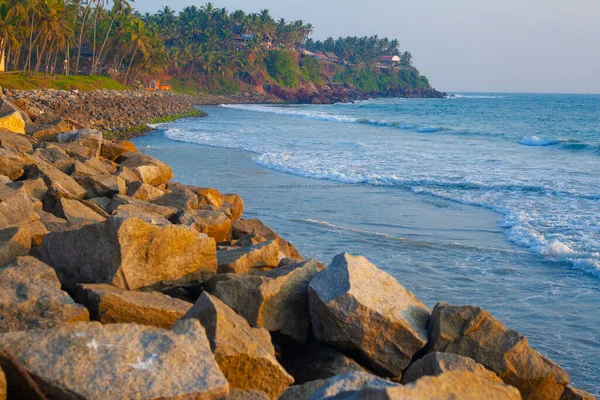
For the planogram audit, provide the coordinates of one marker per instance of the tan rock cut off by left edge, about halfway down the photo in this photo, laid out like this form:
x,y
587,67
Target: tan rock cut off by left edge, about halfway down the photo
x,y
15,208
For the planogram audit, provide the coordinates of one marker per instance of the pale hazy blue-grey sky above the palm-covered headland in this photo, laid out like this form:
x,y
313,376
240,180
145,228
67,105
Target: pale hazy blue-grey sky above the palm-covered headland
x,y
462,45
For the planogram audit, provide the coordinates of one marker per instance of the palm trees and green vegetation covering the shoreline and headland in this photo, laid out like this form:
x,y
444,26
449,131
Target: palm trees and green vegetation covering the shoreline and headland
x,y
52,43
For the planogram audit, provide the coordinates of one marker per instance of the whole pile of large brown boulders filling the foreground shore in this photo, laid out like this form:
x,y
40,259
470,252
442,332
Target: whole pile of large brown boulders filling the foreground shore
x,y
117,282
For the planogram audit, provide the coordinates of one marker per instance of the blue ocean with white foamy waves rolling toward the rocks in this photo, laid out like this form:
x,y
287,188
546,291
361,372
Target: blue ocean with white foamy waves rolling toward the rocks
x,y
485,199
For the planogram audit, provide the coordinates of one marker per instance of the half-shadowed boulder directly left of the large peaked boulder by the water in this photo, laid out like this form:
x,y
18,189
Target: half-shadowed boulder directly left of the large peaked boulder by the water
x,y
276,300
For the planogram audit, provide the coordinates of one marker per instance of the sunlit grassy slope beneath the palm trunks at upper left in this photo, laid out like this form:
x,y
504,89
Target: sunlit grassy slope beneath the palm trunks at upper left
x,y
17,81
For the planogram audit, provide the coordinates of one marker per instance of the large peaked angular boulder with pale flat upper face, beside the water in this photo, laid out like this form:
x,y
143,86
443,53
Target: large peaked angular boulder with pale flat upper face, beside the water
x,y
355,306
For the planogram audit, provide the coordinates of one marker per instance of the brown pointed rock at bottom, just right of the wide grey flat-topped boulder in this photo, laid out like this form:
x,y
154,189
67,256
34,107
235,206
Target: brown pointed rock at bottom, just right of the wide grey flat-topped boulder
x,y
244,361
